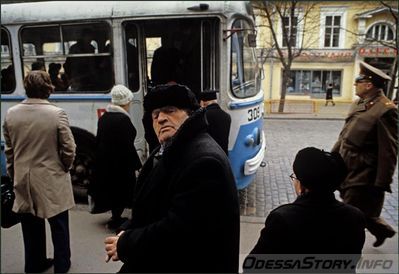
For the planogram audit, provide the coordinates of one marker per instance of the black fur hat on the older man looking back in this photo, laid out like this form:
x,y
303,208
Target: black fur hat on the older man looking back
x,y
179,96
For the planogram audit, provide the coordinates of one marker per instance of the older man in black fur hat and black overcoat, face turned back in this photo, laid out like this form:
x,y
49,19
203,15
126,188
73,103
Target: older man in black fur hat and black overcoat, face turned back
x,y
185,215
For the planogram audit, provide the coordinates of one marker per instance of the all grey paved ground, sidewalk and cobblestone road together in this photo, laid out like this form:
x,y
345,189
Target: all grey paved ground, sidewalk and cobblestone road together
x,y
273,187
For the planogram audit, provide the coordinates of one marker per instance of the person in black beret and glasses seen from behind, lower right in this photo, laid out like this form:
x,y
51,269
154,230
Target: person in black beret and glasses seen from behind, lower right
x,y
315,223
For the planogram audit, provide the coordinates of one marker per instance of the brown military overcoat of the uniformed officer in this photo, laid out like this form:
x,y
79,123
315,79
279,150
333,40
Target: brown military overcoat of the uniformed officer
x,y
368,143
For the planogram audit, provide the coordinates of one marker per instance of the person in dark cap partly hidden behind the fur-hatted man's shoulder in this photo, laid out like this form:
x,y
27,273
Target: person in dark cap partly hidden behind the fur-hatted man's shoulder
x,y
219,121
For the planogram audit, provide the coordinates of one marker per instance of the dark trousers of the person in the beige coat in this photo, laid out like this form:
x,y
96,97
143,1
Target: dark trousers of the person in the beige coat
x,y
34,235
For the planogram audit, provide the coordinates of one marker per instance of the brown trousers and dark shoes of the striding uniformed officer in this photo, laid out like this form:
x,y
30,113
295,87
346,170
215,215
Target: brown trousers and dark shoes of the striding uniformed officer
x,y
369,200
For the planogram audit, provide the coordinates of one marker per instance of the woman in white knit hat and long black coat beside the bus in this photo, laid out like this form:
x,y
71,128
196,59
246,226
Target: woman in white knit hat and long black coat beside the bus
x,y
116,158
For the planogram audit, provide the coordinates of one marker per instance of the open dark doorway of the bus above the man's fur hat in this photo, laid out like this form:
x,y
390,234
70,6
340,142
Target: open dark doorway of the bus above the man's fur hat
x,y
171,50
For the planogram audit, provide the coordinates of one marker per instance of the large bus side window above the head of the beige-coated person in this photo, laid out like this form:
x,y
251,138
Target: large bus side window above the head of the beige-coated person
x,y
78,57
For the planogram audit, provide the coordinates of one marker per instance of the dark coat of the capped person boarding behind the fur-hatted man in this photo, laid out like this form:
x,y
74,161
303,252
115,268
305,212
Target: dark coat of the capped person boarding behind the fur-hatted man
x,y
219,123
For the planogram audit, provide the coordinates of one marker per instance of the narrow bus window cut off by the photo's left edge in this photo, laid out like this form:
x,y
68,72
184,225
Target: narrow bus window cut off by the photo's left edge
x,y
7,67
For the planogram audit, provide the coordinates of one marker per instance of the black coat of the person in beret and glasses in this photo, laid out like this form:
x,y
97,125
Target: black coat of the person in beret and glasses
x,y
313,225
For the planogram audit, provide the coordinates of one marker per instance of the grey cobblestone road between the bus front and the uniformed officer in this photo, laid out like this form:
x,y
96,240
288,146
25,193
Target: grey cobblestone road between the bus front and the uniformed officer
x,y
284,137
